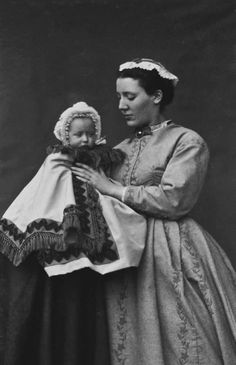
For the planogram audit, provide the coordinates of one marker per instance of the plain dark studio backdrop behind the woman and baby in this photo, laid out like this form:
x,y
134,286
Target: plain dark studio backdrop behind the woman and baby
x,y
54,53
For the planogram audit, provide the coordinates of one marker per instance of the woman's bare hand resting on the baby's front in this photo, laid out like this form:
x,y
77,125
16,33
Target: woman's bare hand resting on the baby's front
x,y
95,178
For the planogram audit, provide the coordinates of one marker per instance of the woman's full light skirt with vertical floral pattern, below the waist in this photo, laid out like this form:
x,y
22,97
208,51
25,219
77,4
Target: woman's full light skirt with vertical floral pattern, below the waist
x,y
179,305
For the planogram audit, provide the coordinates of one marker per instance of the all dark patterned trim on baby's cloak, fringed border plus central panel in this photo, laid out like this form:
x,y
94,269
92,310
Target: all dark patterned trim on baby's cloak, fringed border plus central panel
x,y
83,228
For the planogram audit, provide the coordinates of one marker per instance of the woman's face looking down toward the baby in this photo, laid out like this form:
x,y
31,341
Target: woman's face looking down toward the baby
x,y
135,104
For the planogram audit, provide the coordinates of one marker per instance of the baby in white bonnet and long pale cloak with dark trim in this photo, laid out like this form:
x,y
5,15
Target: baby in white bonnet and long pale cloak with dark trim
x,y
66,222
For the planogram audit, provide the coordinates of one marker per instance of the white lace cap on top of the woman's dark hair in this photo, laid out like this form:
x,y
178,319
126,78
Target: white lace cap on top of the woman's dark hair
x,y
149,65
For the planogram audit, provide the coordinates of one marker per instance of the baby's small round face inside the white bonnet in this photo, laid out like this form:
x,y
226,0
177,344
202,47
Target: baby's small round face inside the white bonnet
x,y
82,133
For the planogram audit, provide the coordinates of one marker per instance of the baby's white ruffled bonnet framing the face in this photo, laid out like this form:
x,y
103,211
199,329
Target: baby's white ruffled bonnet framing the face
x,y
78,110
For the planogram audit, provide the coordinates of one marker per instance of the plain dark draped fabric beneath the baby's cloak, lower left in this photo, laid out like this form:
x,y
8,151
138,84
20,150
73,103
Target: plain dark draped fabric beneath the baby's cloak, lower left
x,y
51,321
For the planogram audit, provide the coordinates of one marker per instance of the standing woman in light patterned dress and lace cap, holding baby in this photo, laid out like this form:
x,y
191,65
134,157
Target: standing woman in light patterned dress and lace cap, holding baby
x,y
179,305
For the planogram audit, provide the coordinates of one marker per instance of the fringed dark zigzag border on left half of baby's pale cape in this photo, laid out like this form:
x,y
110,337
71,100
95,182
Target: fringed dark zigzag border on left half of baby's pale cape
x,y
41,234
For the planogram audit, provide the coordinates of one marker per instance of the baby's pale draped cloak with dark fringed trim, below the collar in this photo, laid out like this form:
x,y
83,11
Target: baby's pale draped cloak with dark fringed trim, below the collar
x,y
35,222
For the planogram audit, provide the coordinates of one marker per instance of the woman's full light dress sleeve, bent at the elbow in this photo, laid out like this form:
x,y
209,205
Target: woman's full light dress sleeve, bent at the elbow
x,y
179,187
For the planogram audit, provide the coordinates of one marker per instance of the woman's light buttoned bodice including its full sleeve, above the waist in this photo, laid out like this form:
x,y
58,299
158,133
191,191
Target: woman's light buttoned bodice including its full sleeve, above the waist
x,y
164,171
